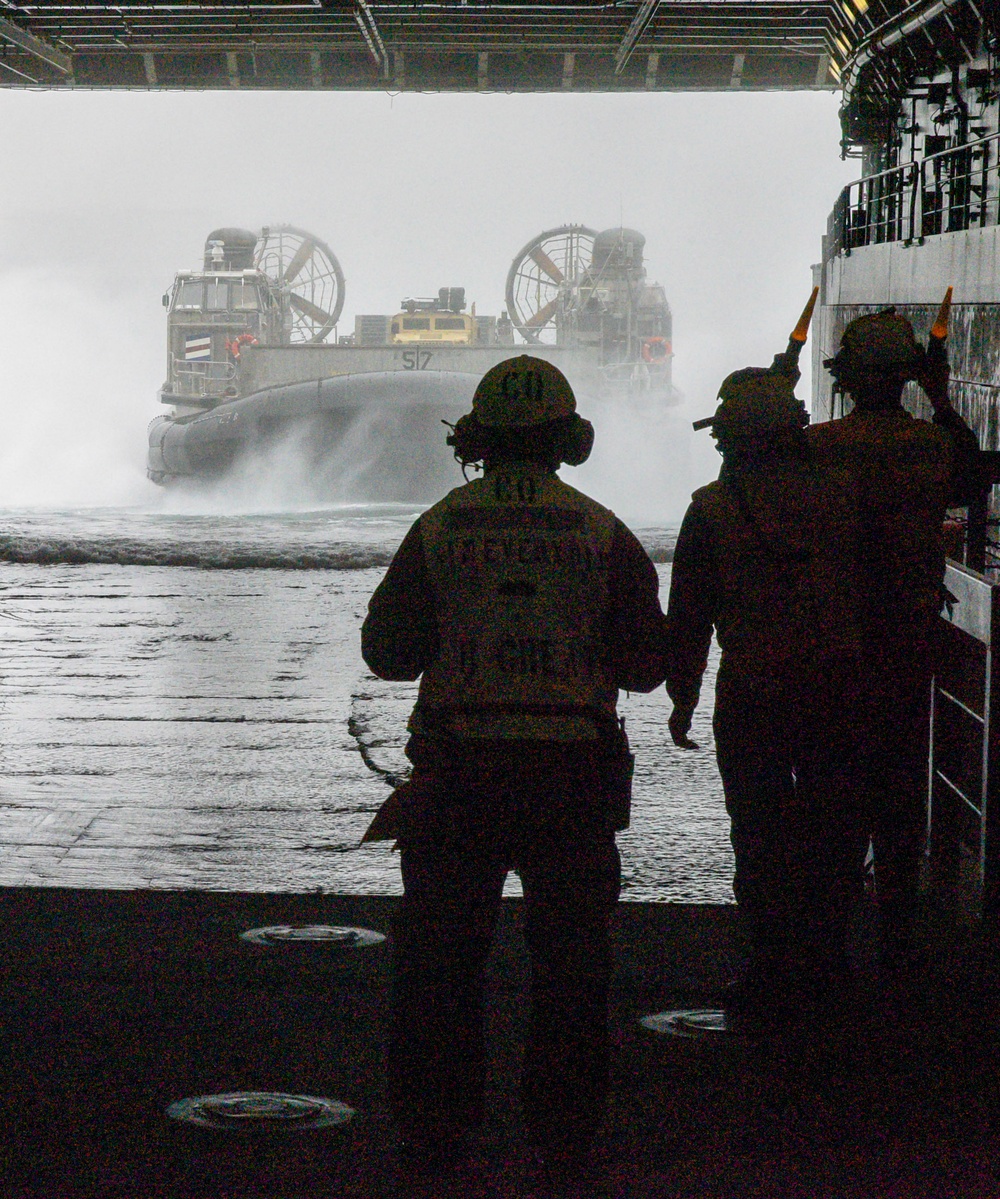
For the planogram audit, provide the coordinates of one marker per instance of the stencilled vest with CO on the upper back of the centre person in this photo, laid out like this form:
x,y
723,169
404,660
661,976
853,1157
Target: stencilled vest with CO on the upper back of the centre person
x,y
519,565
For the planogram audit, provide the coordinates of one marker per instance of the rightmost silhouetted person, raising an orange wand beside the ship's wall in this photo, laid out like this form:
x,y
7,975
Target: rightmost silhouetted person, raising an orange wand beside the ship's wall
x,y
906,473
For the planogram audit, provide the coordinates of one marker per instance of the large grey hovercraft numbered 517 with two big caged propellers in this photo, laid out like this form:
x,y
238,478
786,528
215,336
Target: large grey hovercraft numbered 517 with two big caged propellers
x,y
257,377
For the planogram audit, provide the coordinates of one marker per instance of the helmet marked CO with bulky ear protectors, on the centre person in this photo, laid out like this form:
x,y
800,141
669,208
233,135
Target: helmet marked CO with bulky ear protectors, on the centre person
x,y
523,402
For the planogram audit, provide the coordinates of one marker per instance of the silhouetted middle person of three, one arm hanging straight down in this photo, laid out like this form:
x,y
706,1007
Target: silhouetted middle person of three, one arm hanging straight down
x,y
766,558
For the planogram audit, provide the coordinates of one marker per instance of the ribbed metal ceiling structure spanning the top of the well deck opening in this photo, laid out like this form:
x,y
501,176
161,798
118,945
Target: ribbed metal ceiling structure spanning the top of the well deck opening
x,y
449,46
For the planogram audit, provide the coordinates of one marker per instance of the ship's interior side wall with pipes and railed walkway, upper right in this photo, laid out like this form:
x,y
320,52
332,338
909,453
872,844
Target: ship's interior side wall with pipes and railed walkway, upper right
x,y
925,215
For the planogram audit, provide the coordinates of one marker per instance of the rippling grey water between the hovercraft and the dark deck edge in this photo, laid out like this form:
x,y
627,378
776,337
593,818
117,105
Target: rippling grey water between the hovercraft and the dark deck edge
x,y
185,706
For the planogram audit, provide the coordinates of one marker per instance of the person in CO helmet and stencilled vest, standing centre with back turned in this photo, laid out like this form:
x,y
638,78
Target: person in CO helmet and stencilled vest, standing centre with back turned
x,y
523,607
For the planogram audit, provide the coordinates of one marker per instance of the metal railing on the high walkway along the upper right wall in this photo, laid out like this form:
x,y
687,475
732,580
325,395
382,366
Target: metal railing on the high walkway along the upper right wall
x,y
947,192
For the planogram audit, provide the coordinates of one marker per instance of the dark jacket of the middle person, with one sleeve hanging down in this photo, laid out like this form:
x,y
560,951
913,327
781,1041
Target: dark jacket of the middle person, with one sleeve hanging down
x,y
761,557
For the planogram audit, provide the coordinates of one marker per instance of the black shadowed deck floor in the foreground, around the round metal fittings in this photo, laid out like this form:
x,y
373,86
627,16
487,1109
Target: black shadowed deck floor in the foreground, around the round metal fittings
x,y
118,1003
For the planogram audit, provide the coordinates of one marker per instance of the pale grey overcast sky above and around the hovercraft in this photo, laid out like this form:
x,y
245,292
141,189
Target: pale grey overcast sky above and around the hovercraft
x,y
105,196
